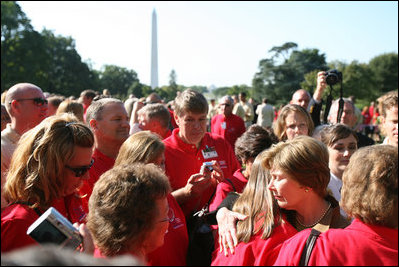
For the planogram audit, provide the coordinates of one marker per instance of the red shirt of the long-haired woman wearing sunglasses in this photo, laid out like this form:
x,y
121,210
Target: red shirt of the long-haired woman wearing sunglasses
x,y
16,219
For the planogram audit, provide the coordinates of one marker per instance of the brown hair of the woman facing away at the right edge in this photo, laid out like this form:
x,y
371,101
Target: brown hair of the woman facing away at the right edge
x,y
370,185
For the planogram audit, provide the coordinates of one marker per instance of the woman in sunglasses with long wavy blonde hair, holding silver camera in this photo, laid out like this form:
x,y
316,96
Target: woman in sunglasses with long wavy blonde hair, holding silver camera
x,y
47,168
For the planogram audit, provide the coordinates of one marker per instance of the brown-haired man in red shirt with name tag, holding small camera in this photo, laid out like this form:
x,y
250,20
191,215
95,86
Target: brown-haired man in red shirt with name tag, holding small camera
x,y
188,147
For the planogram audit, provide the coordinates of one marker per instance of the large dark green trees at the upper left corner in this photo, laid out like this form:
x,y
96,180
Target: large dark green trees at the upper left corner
x,y
49,61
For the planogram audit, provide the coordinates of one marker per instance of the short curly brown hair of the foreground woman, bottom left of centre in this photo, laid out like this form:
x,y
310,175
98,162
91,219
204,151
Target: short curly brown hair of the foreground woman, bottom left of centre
x,y
122,207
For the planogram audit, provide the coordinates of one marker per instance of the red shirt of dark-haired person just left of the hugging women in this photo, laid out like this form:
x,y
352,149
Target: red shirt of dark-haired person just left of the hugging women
x,y
225,187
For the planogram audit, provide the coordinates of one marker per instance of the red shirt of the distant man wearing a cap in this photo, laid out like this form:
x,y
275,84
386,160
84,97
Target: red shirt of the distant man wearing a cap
x,y
230,127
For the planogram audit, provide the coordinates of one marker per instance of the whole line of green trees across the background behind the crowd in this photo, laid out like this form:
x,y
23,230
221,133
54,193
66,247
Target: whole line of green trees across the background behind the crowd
x,y
53,63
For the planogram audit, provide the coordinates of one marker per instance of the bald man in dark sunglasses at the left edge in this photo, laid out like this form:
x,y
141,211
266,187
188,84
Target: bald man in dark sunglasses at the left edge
x,y
27,107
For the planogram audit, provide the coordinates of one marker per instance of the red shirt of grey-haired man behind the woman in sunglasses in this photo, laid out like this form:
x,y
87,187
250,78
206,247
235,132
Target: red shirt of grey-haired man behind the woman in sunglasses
x,y
102,163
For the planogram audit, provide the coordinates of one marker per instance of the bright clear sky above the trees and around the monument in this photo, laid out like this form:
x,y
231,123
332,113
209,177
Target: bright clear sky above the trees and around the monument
x,y
216,43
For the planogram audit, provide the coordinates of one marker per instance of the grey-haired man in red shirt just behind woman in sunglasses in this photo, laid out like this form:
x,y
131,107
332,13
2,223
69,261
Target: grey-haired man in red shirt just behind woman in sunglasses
x,y
109,122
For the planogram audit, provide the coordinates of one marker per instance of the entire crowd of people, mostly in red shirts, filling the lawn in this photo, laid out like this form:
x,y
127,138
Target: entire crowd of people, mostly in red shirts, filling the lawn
x,y
135,176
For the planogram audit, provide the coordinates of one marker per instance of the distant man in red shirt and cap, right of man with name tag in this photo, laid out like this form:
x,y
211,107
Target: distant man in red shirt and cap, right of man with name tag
x,y
227,124
